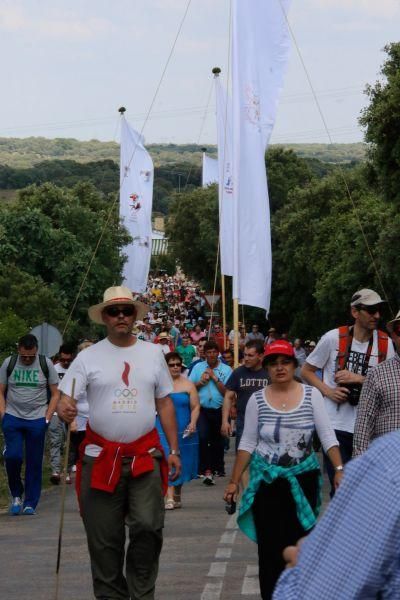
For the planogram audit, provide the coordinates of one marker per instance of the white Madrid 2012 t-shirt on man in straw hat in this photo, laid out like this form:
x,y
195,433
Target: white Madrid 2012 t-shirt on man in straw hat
x,y
121,384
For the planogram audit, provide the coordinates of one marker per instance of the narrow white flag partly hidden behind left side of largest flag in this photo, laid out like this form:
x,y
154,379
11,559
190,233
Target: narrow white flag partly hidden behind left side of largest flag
x,y
225,190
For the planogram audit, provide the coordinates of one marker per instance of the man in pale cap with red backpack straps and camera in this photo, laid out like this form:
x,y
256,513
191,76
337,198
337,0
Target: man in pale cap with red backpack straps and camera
x,y
345,355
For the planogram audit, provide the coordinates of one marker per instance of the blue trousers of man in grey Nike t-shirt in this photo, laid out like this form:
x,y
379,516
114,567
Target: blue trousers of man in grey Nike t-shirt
x,y
32,433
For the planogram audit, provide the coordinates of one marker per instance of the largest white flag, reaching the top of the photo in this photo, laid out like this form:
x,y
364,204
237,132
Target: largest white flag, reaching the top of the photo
x,y
260,46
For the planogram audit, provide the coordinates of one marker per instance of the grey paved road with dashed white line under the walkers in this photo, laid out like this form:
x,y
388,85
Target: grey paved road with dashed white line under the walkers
x,y
204,557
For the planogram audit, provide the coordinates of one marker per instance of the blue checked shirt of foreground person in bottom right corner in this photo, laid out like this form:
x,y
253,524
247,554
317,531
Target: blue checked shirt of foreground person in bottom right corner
x,y
353,552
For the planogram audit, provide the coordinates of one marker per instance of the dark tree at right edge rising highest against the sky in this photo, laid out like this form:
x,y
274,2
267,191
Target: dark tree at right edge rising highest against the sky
x,y
381,119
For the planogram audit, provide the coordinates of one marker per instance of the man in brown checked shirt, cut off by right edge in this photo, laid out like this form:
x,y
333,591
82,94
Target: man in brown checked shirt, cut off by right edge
x,y
379,406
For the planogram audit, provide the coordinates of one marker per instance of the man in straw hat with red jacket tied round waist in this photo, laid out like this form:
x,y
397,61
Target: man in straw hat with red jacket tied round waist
x,y
122,474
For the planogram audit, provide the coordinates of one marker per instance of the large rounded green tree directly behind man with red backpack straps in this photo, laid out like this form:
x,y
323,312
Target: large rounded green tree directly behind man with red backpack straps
x,y
320,255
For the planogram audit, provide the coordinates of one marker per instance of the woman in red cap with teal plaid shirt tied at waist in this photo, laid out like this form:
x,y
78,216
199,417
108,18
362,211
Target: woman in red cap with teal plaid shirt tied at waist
x,y
282,501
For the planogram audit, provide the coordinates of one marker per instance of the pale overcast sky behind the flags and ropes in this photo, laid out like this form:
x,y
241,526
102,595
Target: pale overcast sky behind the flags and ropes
x,y
67,65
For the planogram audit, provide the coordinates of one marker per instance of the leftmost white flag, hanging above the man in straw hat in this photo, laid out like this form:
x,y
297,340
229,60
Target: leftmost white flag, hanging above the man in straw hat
x,y
136,200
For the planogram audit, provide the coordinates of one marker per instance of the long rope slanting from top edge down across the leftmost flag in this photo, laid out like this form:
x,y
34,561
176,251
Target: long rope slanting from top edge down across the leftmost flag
x,y
113,204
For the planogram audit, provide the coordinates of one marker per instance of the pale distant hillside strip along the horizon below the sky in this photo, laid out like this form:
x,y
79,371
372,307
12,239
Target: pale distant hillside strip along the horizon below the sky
x,y
27,152
